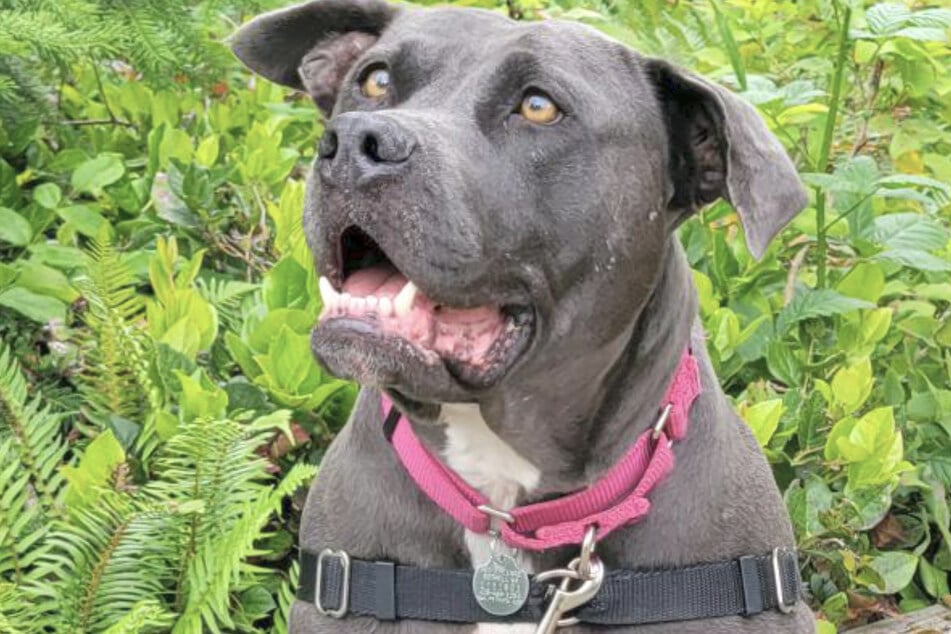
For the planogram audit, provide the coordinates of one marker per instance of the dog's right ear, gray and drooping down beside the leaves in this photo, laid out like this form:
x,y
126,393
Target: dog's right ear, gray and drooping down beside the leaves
x,y
721,147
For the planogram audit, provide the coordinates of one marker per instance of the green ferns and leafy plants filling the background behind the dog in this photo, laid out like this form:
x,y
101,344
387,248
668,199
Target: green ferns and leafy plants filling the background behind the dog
x,y
159,408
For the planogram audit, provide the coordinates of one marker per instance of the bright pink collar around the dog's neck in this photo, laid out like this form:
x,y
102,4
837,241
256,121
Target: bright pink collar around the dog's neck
x,y
618,499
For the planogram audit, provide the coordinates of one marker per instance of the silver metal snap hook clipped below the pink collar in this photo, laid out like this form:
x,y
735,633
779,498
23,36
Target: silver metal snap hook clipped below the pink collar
x,y
588,570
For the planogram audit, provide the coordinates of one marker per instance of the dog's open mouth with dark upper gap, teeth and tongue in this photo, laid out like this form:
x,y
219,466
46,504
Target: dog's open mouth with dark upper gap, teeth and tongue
x,y
477,344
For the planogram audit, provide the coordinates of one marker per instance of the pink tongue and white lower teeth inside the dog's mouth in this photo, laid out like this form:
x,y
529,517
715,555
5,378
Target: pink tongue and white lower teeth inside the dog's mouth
x,y
384,296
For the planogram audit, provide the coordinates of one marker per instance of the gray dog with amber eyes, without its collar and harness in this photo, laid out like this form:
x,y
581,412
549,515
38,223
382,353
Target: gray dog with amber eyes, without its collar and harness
x,y
493,209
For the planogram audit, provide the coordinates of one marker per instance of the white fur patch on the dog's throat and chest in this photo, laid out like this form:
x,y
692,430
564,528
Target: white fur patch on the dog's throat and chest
x,y
490,465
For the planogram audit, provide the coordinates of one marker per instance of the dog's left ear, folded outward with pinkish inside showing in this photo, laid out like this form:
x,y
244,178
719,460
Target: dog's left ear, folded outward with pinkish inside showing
x,y
311,46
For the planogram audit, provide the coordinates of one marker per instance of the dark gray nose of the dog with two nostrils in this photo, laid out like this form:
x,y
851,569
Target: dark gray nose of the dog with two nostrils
x,y
361,145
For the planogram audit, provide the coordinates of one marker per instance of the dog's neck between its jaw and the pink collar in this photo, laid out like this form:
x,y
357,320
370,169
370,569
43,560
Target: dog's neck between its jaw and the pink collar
x,y
543,441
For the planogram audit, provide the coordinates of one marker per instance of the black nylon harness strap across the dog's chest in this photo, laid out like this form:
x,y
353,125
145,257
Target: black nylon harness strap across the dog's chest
x,y
387,591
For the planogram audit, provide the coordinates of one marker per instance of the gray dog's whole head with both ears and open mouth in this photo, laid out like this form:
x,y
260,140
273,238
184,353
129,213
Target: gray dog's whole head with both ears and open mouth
x,y
493,197
